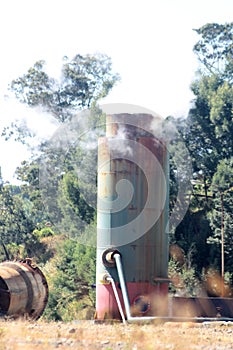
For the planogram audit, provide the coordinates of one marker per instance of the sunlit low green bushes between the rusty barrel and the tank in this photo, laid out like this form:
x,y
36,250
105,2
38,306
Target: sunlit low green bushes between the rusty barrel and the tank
x,y
70,278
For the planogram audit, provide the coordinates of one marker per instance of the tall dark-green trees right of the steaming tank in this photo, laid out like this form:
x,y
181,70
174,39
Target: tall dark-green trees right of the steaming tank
x,y
208,137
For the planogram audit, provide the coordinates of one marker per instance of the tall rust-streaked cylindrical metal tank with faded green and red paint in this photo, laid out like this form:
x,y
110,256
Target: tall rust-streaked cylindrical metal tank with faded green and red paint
x,y
142,161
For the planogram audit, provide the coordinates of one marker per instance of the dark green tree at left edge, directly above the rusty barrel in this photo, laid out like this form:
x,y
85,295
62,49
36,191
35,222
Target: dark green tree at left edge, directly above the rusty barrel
x,y
18,237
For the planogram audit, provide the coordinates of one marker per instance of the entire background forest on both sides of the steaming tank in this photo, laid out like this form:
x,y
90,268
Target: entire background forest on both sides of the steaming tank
x,y
51,215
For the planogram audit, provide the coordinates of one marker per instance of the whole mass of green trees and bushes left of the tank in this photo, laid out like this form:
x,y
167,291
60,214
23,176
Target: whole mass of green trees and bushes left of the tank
x,y
57,195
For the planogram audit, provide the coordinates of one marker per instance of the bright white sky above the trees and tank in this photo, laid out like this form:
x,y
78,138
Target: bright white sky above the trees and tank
x,y
150,43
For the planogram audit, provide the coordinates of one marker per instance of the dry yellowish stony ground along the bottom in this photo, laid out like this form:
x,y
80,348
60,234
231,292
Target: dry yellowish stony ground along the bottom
x,y
17,335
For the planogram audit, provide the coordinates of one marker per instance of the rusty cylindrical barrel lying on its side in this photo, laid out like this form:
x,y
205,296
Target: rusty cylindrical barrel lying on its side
x,y
23,289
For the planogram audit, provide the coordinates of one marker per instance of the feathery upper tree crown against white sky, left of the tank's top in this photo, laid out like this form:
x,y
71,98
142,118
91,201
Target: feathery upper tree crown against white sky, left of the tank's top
x,y
84,80
